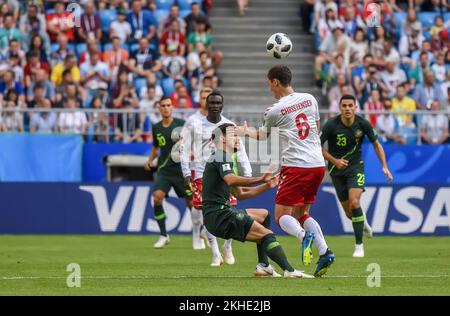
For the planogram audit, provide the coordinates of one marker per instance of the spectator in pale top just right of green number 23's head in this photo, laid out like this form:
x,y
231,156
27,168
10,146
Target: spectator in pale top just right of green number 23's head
x,y
388,127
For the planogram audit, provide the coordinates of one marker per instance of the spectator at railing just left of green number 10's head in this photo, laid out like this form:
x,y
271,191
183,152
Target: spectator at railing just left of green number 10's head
x,y
128,129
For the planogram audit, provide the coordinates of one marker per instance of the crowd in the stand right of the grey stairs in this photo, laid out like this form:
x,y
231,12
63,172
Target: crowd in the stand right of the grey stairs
x,y
396,61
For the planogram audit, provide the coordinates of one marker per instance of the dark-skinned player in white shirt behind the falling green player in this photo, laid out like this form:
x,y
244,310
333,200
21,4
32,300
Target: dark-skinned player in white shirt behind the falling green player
x,y
202,149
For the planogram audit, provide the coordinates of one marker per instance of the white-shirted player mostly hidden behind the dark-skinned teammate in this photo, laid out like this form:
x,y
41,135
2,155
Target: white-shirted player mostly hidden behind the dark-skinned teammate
x,y
188,167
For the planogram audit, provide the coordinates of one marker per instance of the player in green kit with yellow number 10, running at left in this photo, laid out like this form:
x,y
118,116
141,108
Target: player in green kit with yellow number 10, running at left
x,y
169,175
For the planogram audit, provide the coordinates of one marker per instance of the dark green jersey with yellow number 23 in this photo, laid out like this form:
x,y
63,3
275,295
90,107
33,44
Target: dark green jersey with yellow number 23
x,y
344,142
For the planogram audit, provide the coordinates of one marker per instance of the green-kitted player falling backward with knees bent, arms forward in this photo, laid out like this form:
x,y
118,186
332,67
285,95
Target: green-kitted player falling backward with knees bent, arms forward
x,y
226,221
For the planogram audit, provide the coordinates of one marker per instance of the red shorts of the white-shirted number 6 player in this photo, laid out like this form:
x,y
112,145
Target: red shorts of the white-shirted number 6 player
x,y
299,186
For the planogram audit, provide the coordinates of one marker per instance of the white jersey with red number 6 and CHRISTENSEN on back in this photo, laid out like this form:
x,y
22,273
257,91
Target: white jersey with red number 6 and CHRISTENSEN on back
x,y
295,116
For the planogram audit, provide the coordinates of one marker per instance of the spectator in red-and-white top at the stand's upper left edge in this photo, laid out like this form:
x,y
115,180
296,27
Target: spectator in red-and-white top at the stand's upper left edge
x,y
60,22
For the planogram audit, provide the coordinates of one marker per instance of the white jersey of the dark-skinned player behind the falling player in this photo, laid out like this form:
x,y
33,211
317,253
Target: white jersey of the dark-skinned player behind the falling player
x,y
203,147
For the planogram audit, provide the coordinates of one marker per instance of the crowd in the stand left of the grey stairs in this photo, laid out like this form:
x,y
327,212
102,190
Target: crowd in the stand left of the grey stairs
x,y
106,54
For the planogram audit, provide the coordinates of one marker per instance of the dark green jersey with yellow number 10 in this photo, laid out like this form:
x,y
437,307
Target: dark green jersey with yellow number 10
x,y
163,139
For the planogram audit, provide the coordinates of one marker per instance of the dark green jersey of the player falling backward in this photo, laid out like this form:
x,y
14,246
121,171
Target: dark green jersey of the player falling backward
x,y
216,192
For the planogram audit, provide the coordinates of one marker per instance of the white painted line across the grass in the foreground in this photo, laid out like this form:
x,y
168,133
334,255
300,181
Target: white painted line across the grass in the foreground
x,y
176,277
